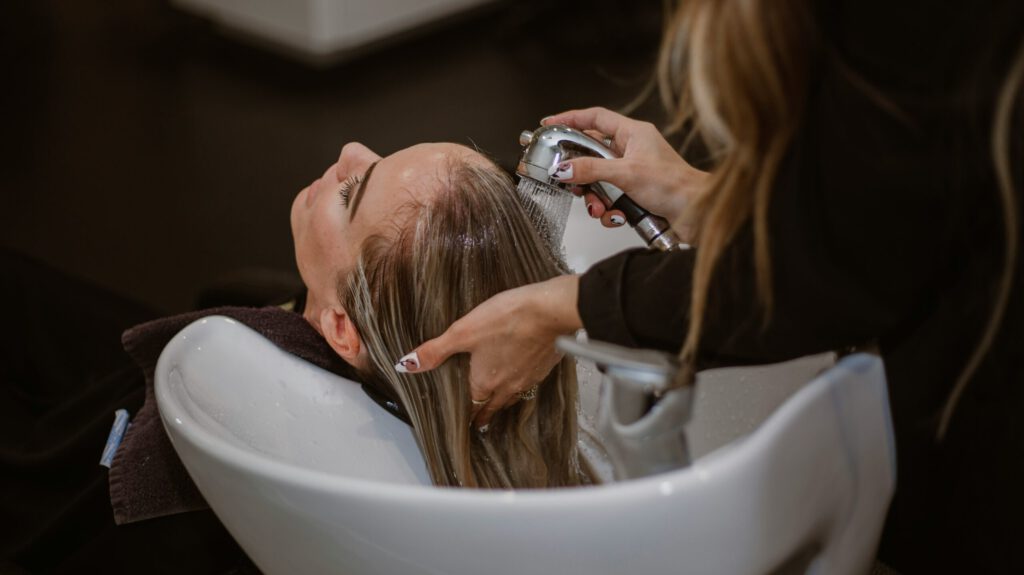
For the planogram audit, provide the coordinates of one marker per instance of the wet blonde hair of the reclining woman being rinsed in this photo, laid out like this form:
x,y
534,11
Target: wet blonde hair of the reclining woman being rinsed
x,y
471,242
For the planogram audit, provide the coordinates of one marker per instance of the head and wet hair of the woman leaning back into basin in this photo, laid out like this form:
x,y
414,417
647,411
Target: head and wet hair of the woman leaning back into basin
x,y
393,251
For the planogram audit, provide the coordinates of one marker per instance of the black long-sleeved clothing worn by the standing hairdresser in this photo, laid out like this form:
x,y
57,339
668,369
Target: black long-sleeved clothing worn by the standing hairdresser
x,y
885,227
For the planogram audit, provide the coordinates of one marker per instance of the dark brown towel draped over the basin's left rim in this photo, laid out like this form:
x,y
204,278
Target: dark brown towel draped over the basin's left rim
x,y
147,478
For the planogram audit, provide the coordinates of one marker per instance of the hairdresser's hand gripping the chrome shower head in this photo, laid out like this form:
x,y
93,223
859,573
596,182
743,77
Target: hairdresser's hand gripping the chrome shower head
x,y
650,171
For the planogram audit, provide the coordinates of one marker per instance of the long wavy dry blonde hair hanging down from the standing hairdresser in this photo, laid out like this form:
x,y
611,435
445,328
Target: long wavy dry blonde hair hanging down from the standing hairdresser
x,y
738,73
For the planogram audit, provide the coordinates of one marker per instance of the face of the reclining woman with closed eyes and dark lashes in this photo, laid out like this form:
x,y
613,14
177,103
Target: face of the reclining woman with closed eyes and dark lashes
x,y
360,196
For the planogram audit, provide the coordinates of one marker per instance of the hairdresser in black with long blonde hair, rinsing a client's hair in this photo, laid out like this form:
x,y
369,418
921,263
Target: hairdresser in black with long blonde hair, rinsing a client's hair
x,y
866,190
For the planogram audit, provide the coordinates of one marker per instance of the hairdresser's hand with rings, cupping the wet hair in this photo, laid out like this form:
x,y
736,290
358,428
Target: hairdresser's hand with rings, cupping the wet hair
x,y
510,339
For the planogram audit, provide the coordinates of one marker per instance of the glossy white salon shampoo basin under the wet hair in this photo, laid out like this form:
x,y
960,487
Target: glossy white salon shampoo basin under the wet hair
x,y
311,476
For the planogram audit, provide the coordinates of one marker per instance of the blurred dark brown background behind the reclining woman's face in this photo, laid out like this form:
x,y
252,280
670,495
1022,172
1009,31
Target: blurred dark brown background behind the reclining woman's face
x,y
148,153
